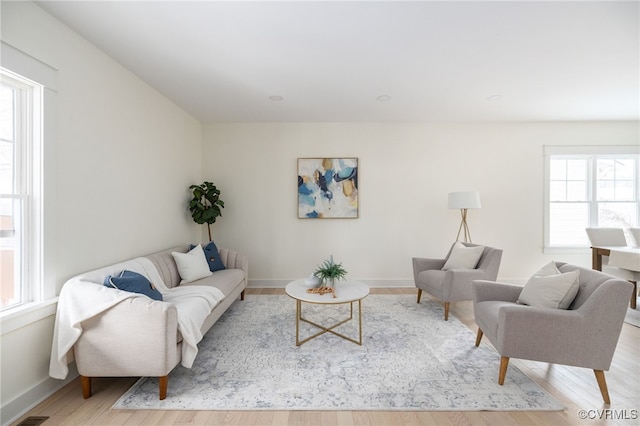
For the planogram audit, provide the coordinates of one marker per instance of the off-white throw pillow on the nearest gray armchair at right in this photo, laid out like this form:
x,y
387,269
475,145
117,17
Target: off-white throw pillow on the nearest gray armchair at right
x,y
554,291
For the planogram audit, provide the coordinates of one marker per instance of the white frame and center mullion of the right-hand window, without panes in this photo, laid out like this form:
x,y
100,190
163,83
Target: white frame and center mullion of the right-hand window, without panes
x,y
591,154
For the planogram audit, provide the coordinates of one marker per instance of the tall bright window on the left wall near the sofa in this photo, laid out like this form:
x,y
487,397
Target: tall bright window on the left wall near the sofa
x,y
20,190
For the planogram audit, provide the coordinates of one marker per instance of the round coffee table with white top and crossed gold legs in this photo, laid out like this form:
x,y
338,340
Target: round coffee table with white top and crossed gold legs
x,y
345,292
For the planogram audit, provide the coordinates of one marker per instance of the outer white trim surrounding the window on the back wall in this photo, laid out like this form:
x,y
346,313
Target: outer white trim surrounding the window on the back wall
x,y
599,150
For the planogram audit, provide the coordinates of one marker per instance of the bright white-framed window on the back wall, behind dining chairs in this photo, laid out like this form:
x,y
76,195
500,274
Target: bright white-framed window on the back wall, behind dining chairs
x,y
589,187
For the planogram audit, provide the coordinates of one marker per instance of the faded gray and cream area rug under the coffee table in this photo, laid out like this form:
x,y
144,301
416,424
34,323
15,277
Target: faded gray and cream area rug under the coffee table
x,y
411,359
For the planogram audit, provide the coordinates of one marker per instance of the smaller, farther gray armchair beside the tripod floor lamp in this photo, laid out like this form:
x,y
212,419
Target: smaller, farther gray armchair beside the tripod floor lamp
x,y
454,285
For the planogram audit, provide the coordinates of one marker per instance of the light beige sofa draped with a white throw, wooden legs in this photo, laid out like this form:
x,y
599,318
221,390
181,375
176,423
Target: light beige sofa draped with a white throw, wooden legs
x,y
114,333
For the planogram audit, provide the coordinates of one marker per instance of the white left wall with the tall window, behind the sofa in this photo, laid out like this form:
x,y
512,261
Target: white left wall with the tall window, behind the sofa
x,y
116,181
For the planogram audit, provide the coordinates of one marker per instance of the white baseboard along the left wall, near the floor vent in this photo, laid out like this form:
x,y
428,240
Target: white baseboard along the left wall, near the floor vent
x,y
17,407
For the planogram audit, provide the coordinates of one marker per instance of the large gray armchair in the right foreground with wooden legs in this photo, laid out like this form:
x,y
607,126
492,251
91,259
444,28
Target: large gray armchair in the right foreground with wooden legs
x,y
585,335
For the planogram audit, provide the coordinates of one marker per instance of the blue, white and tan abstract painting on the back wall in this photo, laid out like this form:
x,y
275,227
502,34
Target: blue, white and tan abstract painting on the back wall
x,y
327,188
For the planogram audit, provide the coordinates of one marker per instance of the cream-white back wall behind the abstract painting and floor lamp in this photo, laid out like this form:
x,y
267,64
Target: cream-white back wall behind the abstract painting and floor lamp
x,y
406,171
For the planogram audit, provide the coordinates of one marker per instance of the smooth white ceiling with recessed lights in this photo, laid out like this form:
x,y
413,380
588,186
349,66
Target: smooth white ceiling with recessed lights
x,y
375,61
